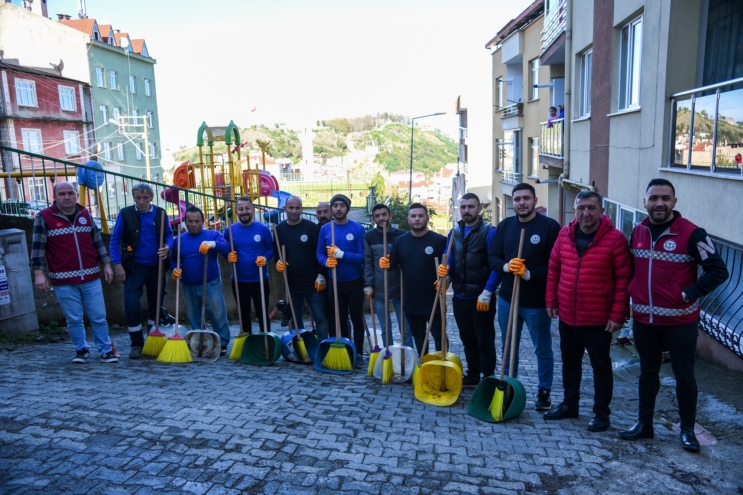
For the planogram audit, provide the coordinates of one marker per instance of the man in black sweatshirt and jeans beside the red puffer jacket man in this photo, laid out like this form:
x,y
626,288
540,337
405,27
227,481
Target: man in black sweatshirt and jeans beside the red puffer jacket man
x,y
540,235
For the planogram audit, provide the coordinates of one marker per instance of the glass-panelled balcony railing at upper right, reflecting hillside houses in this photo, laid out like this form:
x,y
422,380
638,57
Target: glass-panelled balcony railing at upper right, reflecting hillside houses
x,y
706,131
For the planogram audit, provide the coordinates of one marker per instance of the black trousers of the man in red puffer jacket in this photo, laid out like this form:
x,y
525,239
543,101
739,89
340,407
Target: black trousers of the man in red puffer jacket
x,y
597,341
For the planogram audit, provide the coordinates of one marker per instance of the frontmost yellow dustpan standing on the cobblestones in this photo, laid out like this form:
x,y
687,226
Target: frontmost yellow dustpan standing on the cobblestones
x,y
439,383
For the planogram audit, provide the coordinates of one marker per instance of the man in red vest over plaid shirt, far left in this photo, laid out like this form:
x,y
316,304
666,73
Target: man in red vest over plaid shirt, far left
x,y
68,242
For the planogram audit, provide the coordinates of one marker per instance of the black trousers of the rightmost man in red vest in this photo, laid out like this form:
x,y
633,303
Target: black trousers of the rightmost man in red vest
x,y
681,341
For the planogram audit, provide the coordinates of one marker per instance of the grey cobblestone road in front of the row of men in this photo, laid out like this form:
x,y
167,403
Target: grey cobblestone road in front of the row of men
x,y
143,427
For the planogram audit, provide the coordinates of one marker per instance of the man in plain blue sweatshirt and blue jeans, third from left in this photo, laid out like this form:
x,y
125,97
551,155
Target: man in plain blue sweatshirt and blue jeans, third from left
x,y
197,243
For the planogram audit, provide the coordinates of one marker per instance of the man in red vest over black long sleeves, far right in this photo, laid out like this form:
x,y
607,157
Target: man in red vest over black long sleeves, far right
x,y
667,251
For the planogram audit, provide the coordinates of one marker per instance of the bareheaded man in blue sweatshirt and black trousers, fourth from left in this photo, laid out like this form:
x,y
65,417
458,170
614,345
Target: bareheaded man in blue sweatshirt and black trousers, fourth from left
x,y
253,247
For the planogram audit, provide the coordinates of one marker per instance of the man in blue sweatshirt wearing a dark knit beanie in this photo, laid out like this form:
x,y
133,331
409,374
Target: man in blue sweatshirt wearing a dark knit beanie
x,y
347,257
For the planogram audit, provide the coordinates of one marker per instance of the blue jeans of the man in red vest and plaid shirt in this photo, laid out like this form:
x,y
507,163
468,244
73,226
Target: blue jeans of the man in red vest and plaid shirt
x,y
88,297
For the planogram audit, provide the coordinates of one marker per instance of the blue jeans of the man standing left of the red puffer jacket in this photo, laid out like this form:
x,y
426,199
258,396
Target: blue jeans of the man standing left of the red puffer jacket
x,y
539,324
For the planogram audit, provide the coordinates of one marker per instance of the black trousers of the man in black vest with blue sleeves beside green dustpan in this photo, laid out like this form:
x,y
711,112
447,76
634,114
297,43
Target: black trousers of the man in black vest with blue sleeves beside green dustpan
x,y
477,331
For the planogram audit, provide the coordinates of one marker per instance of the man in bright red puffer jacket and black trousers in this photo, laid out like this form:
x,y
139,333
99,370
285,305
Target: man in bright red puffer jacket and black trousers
x,y
589,271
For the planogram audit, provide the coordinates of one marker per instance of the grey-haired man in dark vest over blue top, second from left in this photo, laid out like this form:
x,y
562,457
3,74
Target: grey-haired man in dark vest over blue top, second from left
x,y
136,254
